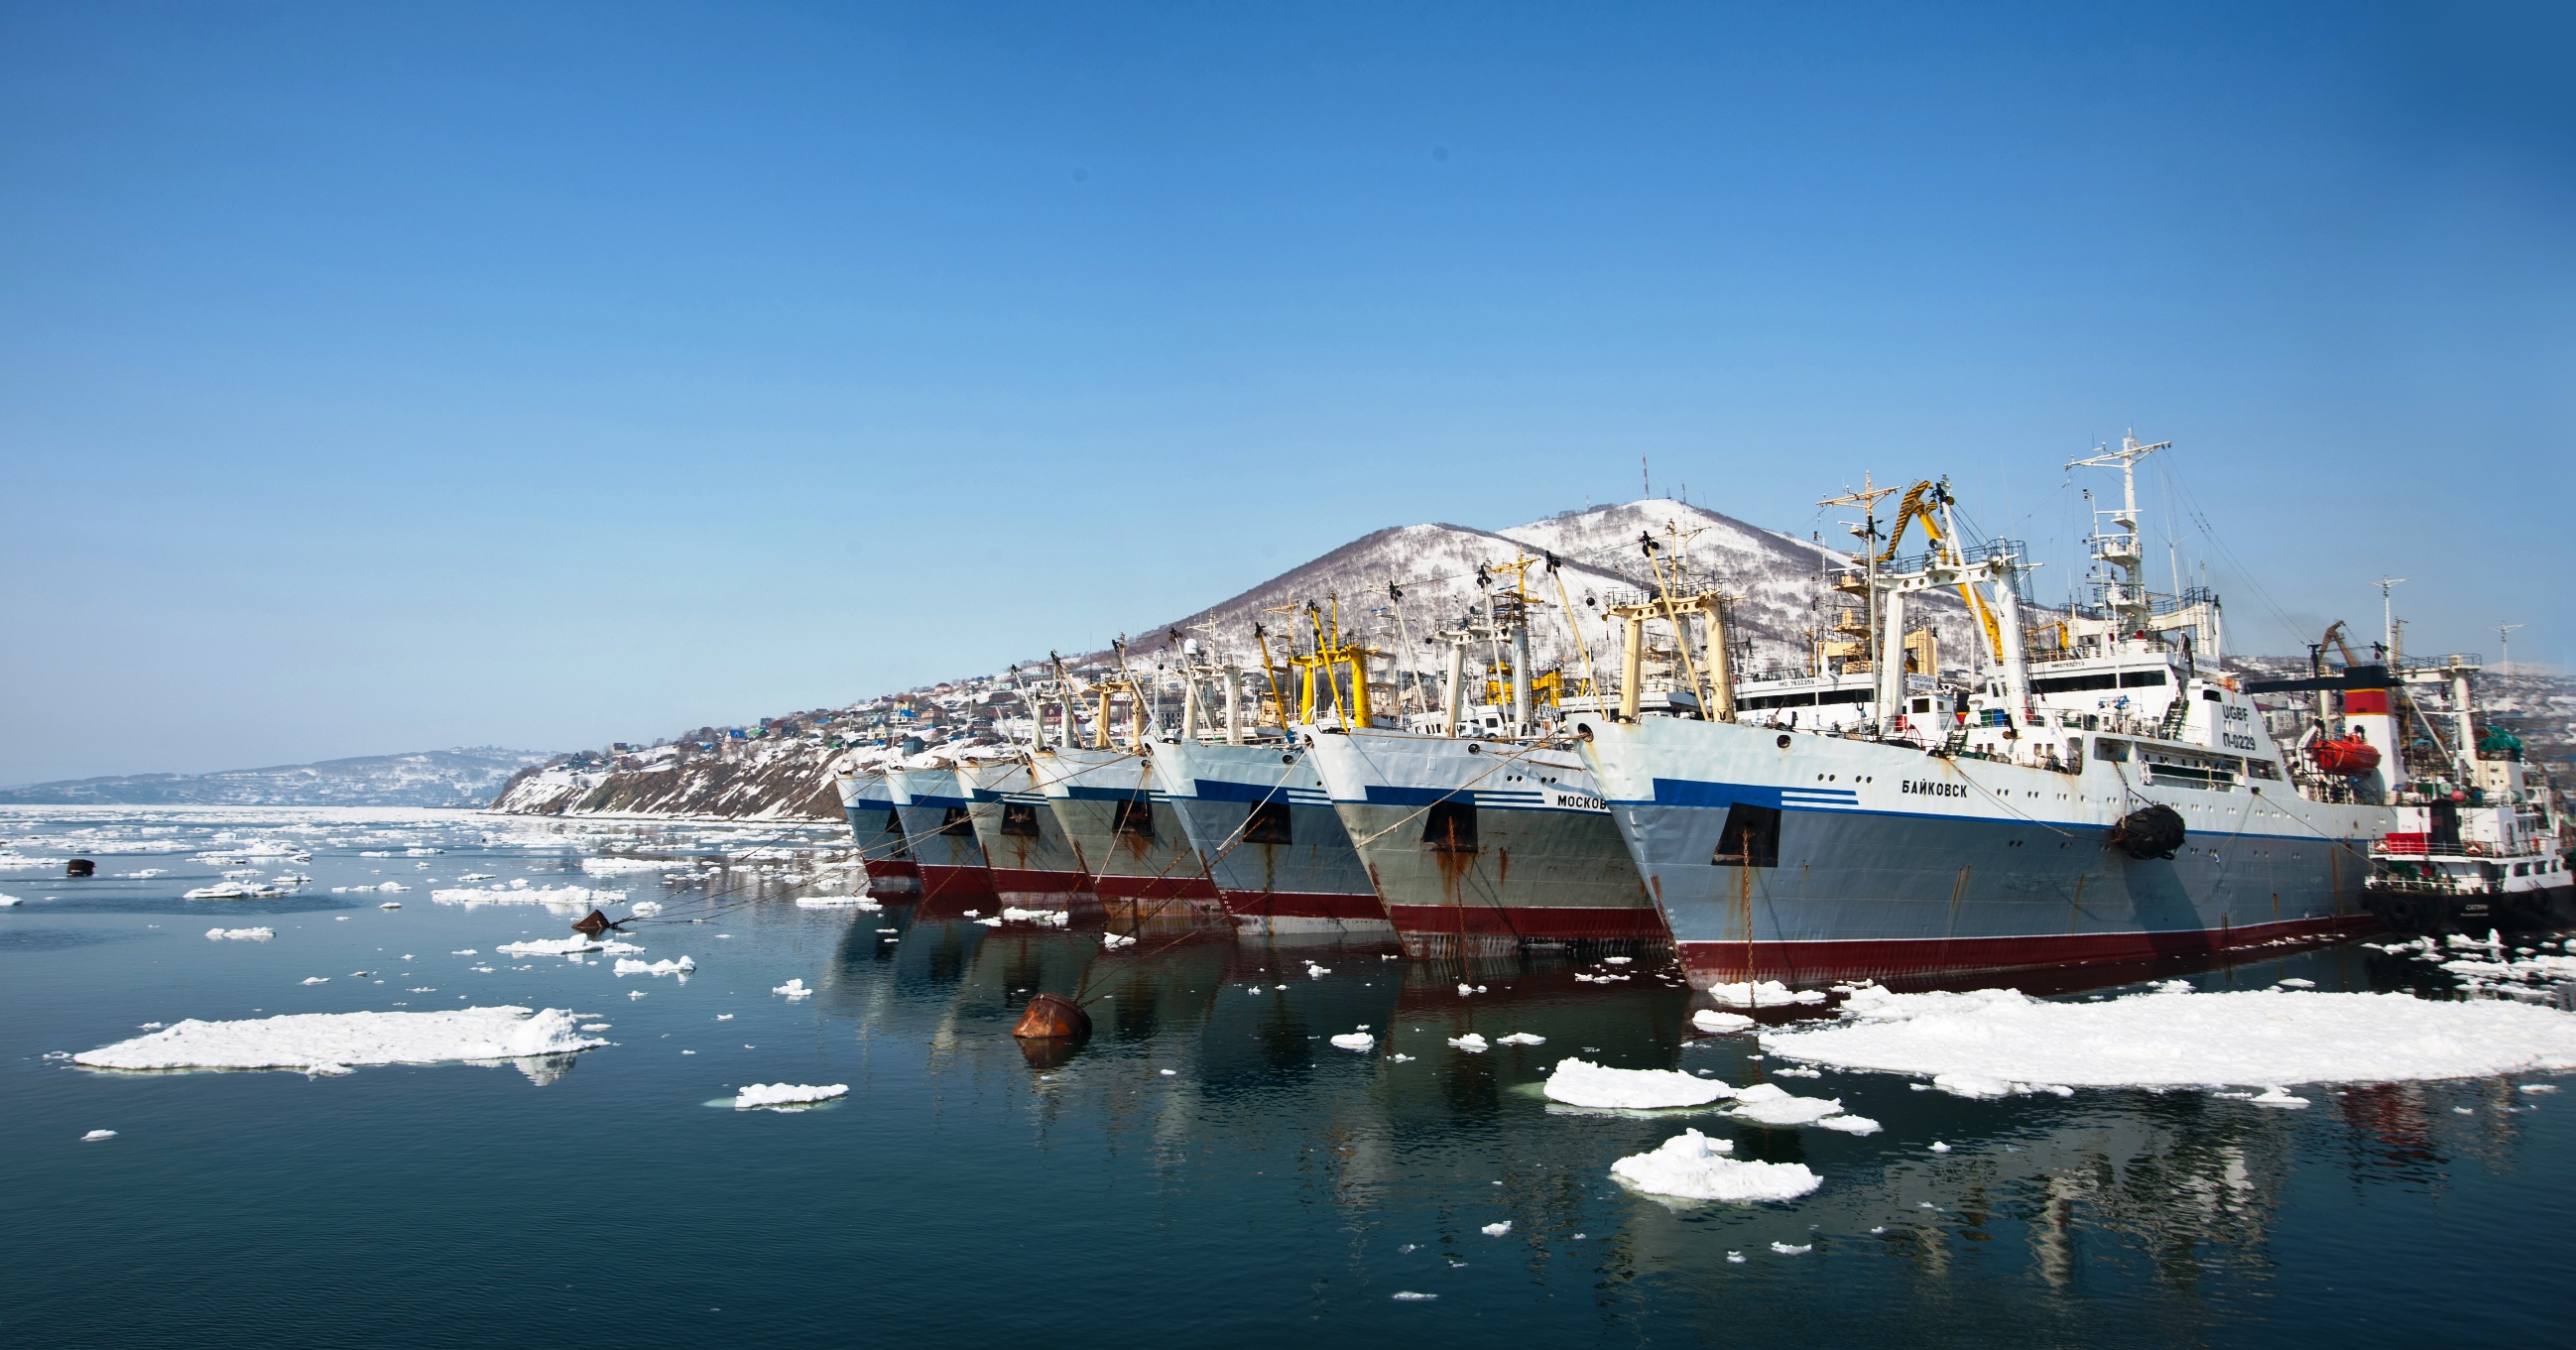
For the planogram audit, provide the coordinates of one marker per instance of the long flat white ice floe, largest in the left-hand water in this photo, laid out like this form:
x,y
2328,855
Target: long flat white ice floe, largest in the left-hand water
x,y
334,1042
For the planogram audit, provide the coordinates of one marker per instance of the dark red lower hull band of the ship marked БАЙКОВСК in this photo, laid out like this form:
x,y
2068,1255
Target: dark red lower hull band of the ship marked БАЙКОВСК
x,y
1951,960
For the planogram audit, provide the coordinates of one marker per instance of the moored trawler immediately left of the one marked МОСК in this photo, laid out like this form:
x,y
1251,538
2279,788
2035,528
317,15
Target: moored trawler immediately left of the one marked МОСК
x,y
1256,810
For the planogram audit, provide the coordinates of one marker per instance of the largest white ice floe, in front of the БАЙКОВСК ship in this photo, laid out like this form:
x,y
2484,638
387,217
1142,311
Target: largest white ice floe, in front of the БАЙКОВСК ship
x,y
2173,1037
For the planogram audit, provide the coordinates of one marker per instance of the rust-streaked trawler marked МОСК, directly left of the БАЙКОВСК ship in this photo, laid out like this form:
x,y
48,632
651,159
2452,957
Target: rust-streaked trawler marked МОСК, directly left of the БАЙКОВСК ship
x,y
1482,833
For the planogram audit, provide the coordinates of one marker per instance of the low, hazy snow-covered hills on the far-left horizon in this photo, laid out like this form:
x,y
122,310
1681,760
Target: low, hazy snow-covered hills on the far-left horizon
x,y
465,777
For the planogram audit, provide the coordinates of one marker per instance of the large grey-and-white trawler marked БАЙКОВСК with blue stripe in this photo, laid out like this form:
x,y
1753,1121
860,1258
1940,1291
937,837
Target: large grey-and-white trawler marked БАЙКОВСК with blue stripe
x,y
2101,797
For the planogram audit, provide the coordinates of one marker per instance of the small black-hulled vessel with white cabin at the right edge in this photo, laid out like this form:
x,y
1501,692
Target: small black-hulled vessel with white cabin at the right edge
x,y
2477,841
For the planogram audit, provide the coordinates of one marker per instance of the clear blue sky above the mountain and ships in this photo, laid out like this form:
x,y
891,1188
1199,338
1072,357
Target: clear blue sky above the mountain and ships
x,y
380,377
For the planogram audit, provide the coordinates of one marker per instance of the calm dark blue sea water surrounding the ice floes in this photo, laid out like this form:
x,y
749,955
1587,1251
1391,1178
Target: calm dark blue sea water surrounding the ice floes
x,y
1207,1168
